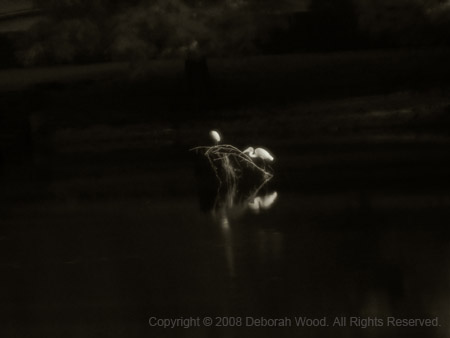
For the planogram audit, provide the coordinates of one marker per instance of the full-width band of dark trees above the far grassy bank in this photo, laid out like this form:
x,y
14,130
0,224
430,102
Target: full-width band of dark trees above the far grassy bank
x,y
102,31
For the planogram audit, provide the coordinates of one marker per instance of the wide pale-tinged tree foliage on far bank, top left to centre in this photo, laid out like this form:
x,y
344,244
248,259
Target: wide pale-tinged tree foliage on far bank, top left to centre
x,y
85,30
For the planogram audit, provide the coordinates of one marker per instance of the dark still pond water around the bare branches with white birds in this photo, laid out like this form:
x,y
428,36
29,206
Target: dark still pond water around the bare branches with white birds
x,y
95,241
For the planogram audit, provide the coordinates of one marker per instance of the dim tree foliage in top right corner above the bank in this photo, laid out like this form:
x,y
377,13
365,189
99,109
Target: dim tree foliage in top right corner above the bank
x,y
399,23
